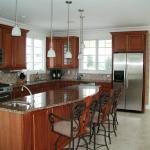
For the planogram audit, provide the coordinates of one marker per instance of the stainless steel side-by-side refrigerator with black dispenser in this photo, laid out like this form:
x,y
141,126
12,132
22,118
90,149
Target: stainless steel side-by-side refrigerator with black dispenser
x,y
128,70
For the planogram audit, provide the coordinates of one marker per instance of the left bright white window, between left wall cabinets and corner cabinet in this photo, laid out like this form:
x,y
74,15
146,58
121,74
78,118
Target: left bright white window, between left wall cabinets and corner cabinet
x,y
35,54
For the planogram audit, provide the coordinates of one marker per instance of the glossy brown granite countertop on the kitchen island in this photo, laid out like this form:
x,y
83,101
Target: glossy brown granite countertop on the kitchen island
x,y
51,98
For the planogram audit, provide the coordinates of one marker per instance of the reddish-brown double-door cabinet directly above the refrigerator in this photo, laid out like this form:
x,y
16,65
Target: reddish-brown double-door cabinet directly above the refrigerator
x,y
133,41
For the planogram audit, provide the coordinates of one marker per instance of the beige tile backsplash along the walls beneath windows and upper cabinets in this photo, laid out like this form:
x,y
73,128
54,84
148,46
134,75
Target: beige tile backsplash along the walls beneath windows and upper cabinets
x,y
12,77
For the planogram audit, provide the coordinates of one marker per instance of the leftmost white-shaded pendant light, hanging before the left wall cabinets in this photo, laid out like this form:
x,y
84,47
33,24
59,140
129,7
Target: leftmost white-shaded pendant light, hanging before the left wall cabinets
x,y
16,31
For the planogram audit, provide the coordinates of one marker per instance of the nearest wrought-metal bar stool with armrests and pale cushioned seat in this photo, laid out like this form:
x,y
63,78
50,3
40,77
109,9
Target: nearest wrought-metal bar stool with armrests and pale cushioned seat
x,y
67,127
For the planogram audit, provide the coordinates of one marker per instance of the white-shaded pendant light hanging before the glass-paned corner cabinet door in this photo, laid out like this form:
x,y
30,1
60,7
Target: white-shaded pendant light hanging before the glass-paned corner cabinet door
x,y
68,53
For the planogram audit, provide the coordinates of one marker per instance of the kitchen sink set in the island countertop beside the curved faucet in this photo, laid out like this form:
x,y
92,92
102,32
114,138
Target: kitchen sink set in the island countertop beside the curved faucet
x,y
17,104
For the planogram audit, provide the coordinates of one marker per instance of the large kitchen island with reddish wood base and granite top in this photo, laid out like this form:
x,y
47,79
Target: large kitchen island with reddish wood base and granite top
x,y
28,128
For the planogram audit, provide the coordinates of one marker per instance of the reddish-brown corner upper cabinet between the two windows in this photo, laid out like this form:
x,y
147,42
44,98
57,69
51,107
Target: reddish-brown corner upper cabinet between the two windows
x,y
60,47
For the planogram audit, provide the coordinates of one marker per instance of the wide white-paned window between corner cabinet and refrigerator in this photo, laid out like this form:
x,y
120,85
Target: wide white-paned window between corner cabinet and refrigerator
x,y
97,57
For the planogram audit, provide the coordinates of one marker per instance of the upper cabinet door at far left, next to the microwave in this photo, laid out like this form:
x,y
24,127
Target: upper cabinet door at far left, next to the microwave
x,y
6,47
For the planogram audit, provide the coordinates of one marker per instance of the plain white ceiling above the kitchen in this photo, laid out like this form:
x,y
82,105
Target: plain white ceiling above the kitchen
x,y
98,13
